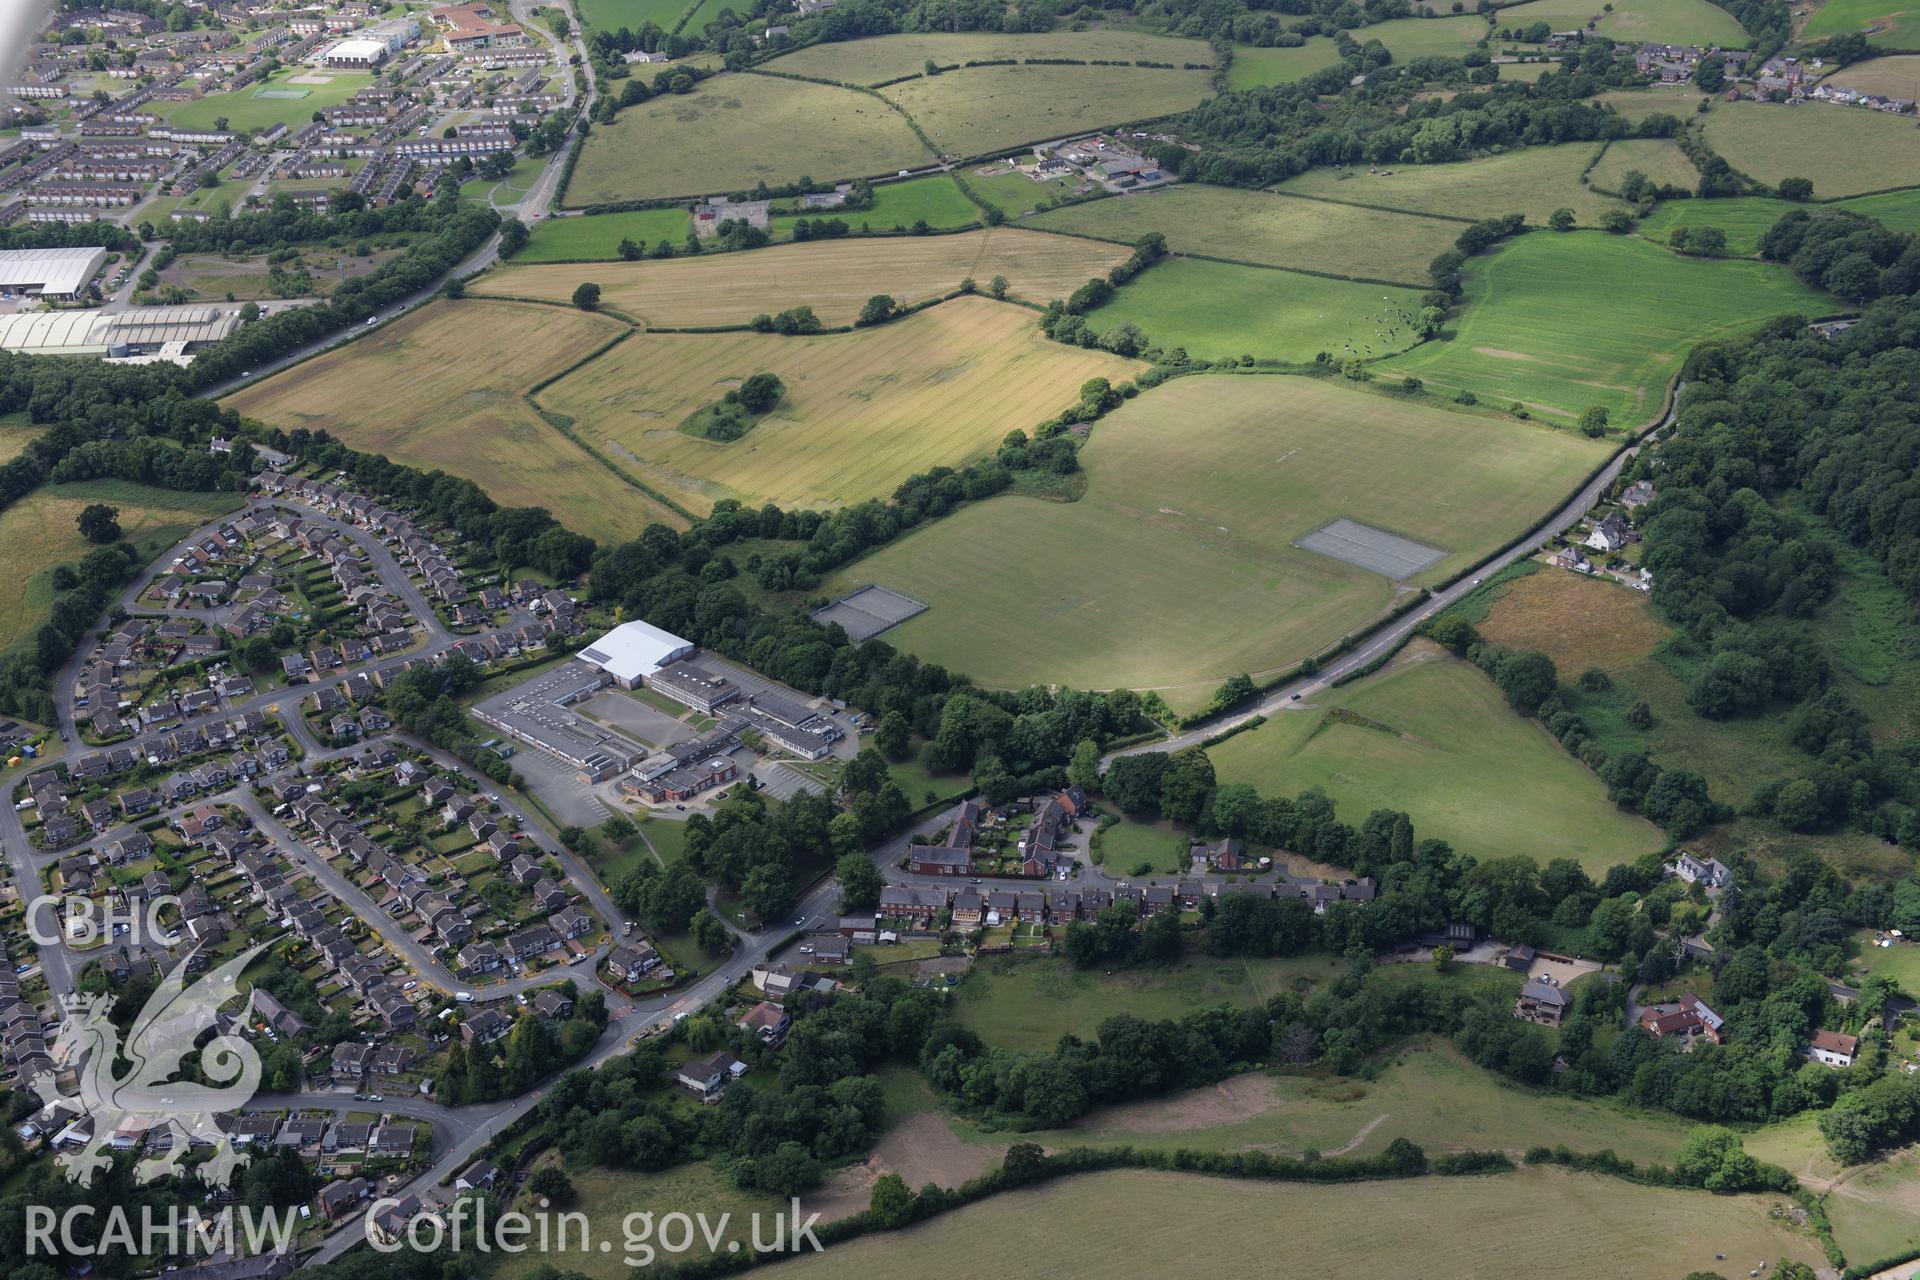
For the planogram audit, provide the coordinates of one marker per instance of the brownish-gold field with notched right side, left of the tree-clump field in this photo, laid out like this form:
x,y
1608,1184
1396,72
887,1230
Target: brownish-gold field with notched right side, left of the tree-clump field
x,y
433,392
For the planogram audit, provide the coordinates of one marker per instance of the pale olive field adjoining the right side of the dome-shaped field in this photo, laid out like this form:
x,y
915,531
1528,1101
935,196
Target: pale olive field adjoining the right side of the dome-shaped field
x,y
984,110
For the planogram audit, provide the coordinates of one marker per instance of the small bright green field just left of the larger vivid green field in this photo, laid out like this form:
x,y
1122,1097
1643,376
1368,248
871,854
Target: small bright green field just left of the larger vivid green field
x,y
1224,312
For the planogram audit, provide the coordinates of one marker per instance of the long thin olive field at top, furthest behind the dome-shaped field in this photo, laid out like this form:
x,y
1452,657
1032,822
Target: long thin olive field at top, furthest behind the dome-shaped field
x,y
884,59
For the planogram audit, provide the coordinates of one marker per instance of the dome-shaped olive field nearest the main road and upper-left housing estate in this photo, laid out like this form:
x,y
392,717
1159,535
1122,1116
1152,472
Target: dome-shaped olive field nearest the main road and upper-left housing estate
x,y
736,131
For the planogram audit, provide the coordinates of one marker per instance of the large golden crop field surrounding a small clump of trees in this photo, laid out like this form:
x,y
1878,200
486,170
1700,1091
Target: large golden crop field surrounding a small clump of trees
x,y
863,412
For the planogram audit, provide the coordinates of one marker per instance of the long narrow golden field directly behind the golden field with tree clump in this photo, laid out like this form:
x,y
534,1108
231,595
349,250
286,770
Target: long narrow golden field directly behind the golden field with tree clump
x,y
834,277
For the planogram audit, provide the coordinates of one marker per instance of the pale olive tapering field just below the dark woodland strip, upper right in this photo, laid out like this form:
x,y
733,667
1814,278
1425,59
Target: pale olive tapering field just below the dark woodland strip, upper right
x,y
1533,181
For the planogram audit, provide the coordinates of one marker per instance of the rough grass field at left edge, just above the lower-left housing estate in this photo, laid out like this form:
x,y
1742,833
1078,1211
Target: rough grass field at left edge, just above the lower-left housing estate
x,y
39,531
